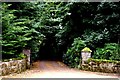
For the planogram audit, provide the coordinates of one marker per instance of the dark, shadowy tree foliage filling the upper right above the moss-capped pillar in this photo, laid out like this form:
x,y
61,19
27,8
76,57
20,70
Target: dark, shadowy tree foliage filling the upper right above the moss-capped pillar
x,y
96,24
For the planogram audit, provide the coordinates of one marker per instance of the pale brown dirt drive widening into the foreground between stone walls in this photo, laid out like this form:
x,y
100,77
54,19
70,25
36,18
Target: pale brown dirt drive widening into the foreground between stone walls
x,y
56,69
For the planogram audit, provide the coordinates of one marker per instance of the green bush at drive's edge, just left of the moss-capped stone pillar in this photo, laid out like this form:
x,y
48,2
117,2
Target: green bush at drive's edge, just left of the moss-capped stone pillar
x,y
73,54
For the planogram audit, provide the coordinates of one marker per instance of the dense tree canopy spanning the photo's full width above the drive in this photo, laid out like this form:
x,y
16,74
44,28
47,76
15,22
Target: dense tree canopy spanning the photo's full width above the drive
x,y
49,29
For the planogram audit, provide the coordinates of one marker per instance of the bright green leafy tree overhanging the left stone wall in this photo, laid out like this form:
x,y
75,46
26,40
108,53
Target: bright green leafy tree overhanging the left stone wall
x,y
16,31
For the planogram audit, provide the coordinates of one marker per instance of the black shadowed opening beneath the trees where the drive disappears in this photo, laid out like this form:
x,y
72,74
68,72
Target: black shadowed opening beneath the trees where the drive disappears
x,y
47,50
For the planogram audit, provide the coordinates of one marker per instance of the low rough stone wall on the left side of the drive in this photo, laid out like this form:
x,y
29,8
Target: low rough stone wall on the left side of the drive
x,y
13,66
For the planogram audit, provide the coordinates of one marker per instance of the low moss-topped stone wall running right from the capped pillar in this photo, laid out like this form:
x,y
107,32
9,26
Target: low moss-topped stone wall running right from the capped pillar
x,y
101,66
